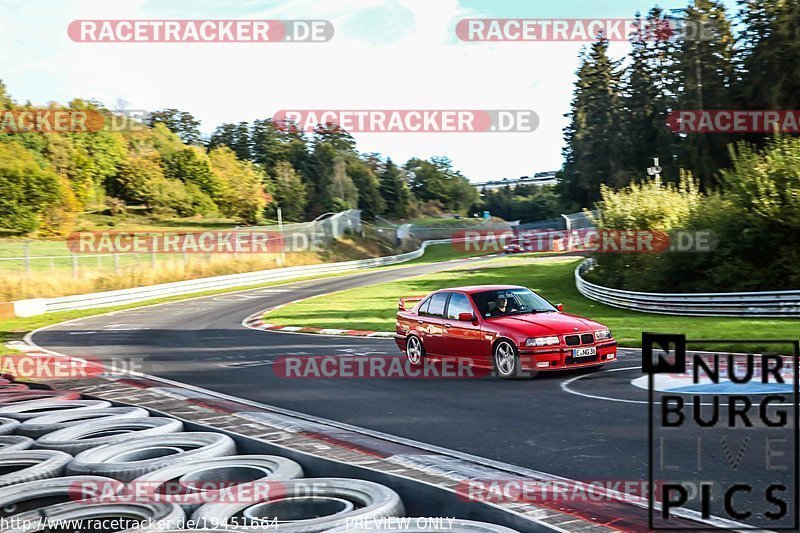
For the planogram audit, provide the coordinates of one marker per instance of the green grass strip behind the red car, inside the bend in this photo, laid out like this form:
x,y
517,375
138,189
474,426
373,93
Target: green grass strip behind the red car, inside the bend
x,y
373,308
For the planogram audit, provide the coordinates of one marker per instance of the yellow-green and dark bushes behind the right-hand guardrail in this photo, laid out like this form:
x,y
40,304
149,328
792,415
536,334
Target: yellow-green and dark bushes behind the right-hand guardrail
x,y
754,219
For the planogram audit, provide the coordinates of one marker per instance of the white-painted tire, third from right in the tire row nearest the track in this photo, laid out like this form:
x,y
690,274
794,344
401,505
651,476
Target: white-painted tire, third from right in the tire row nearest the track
x,y
193,484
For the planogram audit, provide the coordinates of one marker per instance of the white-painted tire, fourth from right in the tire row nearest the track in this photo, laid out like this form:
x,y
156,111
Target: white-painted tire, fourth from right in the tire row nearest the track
x,y
135,457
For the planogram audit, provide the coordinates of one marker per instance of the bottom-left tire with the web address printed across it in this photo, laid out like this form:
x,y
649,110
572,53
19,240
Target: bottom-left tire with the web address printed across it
x,y
129,515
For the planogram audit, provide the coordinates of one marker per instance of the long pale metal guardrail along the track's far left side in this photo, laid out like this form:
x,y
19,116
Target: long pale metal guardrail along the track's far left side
x,y
141,294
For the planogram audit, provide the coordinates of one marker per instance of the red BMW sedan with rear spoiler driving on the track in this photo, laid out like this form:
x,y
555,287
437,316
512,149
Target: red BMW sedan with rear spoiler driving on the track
x,y
507,328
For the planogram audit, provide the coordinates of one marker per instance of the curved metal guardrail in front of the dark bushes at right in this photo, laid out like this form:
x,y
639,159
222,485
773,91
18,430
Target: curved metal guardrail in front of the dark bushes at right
x,y
772,304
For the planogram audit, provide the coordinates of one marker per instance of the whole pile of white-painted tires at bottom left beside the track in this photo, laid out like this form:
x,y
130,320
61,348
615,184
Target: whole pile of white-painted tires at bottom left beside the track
x,y
66,458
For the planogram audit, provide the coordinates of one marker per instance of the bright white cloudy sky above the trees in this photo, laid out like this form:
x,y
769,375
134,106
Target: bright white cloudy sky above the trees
x,y
385,54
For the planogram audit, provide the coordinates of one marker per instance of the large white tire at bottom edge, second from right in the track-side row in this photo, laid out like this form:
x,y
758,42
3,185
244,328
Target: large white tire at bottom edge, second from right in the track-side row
x,y
308,505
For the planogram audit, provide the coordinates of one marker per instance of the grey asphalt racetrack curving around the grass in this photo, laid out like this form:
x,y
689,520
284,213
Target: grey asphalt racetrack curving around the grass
x,y
589,425
